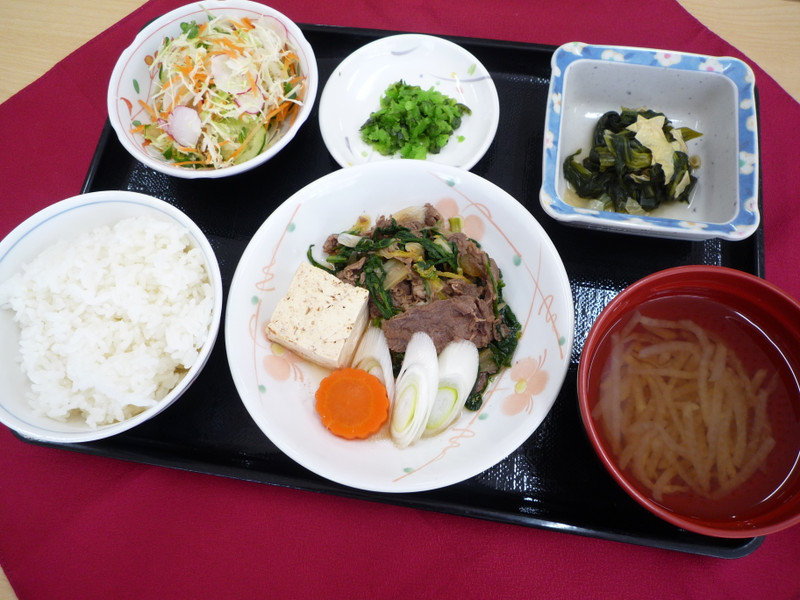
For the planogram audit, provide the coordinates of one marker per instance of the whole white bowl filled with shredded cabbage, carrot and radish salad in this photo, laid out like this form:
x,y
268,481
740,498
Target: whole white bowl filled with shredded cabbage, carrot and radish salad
x,y
212,89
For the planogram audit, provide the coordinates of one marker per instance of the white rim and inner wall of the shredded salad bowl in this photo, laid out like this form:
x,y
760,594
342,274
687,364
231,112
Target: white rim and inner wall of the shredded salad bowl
x,y
123,88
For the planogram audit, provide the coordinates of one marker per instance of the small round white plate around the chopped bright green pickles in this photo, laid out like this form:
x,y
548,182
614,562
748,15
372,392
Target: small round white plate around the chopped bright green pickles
x,y
356,86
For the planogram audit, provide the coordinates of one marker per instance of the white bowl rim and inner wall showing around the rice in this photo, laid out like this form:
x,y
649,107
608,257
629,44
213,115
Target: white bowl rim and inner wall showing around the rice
x,y
23,241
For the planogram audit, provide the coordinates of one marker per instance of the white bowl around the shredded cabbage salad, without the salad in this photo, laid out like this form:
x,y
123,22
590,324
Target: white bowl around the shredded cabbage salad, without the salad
x,y
132,81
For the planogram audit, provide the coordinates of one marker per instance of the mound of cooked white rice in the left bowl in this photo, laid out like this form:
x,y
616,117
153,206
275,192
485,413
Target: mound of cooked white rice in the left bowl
x,y
111,321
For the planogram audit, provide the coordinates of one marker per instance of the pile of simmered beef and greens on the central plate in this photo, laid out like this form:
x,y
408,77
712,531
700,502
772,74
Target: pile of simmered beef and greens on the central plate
x,y
423,273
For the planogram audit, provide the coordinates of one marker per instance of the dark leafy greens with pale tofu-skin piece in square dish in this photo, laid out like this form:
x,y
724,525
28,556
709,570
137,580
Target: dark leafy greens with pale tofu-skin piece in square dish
x,y
637,162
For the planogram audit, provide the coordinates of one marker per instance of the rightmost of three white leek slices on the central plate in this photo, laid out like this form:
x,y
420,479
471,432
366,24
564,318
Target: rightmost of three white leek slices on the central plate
x,y
458,370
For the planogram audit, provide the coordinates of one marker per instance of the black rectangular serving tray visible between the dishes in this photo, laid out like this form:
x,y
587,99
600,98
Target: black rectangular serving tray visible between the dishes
x,y
554,481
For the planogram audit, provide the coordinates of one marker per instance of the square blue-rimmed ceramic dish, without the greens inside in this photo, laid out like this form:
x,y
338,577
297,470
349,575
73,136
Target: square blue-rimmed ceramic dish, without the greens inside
x,y
712,95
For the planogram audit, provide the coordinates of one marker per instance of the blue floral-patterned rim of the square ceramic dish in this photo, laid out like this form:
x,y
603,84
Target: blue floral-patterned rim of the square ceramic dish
x,y
747,217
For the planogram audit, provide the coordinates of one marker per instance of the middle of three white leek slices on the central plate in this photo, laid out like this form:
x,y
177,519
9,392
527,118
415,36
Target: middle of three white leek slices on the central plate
x,y
415,390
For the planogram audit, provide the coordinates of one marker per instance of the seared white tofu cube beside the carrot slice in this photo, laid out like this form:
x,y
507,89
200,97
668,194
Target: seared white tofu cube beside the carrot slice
x,y
321,318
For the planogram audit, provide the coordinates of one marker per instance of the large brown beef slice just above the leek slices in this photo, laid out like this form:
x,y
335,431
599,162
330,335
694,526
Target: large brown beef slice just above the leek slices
x,y
458,318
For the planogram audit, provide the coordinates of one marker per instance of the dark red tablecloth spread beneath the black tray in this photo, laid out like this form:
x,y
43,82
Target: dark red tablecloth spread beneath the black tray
x,y
77,526
